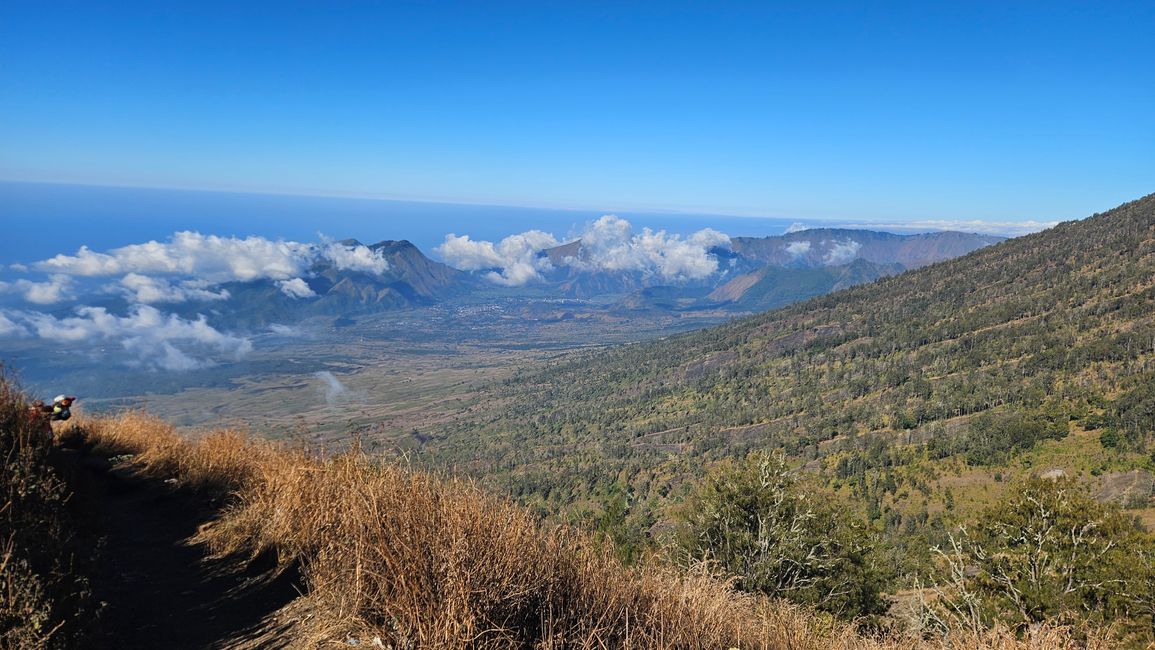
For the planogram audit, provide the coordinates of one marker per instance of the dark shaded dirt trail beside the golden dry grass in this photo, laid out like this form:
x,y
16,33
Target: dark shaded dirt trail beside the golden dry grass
x,y
153,589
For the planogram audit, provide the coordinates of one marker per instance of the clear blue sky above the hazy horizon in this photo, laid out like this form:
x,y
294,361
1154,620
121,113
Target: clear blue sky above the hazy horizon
x,y
818,110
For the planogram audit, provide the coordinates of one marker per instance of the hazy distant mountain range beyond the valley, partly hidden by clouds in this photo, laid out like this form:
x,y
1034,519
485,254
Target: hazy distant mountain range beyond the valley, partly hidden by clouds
x,y
754,274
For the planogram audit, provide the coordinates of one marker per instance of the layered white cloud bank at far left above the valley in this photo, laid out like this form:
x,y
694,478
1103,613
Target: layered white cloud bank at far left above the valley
x,y
189,267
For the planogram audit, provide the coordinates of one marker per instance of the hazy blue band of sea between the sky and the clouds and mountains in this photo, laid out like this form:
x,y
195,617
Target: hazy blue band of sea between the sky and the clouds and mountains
x,y
44,220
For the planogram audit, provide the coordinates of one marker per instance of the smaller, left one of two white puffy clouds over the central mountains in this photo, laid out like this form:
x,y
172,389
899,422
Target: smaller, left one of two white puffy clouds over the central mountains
x,y
517,259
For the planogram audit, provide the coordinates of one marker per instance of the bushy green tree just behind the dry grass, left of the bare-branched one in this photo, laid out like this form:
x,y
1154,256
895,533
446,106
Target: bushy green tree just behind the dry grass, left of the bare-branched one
x,y
754,520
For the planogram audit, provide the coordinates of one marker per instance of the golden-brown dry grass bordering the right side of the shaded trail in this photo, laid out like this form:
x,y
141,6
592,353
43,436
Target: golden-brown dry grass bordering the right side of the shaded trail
x,y
418,562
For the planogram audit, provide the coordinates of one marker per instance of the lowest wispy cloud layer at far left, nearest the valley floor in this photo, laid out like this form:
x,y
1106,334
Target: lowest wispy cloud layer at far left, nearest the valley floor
x,y
155,340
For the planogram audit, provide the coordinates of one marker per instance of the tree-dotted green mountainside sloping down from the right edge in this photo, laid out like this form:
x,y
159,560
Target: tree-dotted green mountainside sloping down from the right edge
x,y
913,398
